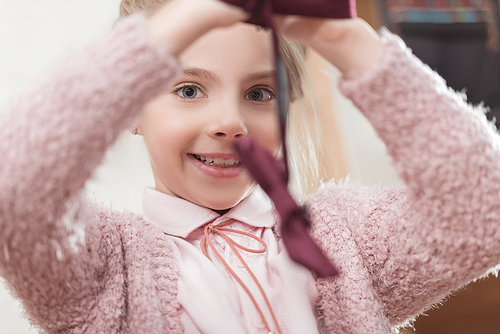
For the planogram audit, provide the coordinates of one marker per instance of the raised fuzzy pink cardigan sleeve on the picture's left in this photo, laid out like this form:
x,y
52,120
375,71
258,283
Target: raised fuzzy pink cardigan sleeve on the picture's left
x,y
53,136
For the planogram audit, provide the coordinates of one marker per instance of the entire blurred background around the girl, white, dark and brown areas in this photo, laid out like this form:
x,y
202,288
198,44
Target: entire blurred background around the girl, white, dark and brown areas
x,y
455,37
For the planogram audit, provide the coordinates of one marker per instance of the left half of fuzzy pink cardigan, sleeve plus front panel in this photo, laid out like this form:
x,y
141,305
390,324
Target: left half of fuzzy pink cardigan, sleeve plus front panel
x,y
79,268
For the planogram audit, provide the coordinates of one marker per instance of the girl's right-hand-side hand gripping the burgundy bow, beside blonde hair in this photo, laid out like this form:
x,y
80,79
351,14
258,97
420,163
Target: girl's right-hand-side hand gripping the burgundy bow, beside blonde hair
x,y
351,45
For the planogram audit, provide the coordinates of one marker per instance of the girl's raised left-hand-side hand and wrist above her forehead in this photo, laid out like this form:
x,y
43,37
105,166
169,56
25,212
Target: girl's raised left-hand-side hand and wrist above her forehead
x,y
180,22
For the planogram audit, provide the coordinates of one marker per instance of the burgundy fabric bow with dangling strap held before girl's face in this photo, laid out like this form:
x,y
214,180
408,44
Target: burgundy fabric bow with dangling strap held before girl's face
x,y
270,173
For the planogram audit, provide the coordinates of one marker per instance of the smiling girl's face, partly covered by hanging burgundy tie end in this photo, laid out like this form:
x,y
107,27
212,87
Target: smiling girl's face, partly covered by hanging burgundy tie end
x,y
226,92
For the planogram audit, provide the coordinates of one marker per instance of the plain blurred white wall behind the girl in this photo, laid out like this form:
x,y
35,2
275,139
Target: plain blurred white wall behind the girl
x,y
34,33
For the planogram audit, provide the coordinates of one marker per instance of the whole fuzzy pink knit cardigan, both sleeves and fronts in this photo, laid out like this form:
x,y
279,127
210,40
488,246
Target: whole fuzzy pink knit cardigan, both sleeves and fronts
x,y
79,268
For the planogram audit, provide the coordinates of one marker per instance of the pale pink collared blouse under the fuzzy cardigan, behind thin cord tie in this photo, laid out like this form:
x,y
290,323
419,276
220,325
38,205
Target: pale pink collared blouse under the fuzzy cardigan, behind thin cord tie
x,y
212,299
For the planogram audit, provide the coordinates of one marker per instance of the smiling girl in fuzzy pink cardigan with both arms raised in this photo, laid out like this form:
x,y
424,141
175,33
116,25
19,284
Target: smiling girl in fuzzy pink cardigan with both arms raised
x,y
192,90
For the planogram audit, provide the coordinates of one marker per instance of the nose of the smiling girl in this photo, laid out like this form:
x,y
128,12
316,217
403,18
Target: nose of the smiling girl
x,y
227,123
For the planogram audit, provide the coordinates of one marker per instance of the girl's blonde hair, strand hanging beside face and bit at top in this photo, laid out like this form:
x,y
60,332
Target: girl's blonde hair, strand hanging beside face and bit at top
x,y
303,135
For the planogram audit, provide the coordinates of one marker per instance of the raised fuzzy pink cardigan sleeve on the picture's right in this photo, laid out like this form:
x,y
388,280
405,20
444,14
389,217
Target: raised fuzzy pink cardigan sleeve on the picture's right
x,y
442,229
